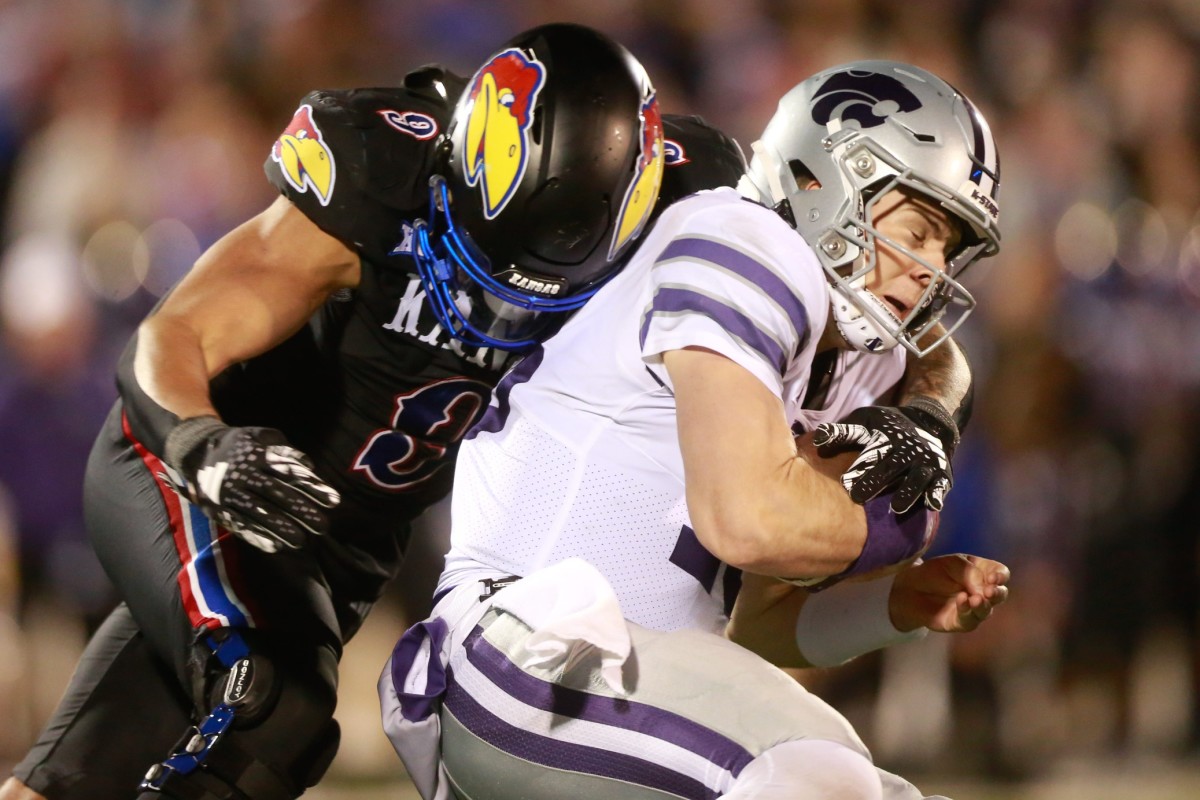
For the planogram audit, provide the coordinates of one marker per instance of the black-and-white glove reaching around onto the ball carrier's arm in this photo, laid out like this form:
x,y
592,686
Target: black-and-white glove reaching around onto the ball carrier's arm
x,y
908,448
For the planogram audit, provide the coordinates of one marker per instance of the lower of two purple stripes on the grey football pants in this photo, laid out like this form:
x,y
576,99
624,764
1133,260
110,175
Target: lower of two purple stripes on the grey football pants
x,y
568,756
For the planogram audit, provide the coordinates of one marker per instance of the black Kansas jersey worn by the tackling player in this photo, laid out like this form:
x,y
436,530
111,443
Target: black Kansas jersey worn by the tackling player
x,y
374,389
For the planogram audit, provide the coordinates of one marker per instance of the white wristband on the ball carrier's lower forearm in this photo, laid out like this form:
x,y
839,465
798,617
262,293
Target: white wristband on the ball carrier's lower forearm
x,y
838,625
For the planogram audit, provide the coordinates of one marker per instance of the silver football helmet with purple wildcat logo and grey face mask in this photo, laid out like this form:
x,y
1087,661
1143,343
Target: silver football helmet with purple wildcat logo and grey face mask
x,y
861,130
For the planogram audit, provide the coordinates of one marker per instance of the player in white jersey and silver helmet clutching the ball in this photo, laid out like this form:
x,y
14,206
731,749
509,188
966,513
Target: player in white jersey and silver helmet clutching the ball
x,y
631,468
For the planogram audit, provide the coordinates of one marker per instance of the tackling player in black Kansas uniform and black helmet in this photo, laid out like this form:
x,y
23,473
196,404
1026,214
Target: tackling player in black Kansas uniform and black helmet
x,y
299,398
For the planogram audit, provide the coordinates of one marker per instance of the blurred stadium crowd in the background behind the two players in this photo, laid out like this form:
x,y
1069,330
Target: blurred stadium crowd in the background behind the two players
x,y
133,135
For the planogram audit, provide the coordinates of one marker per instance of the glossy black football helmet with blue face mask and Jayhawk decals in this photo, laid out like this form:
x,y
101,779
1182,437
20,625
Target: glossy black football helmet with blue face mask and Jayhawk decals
x,y
551,167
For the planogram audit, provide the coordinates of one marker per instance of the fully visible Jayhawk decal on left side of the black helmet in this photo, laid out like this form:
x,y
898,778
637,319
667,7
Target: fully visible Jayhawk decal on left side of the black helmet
x,y
502,99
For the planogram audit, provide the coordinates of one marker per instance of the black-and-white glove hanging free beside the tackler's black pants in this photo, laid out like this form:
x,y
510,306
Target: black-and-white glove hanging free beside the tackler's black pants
x,y
250,482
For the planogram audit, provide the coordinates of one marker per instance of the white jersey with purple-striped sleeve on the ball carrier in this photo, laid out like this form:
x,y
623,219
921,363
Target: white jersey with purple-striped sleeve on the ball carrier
x,y
579,453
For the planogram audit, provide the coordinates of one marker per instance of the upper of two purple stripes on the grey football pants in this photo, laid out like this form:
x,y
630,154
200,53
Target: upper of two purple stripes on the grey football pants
x,y
643,718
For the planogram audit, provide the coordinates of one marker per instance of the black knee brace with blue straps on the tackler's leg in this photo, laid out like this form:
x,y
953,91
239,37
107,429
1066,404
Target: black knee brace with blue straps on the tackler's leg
x,y
266,731
